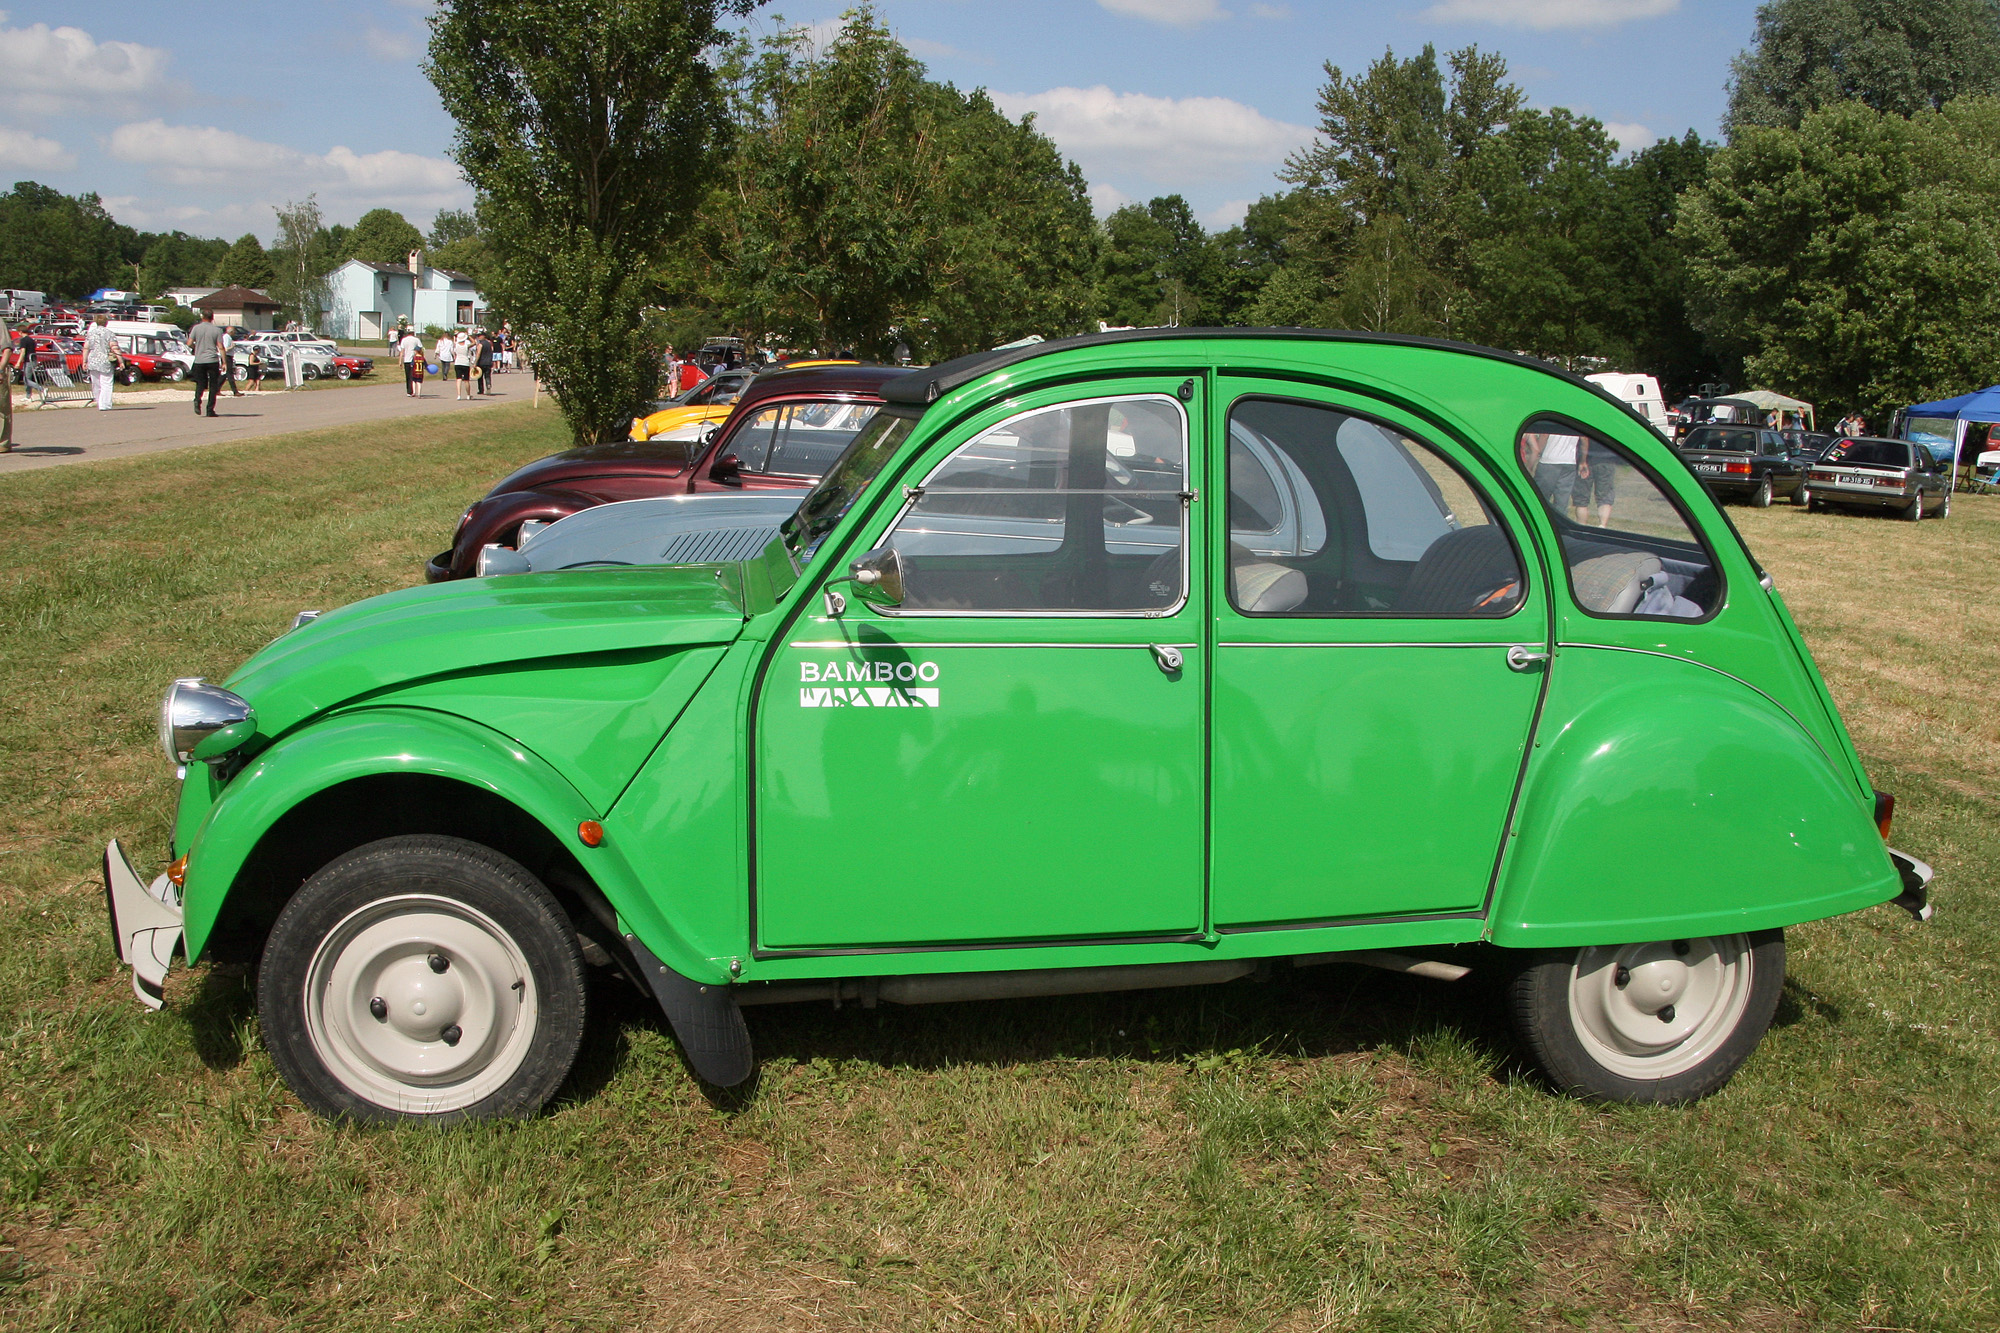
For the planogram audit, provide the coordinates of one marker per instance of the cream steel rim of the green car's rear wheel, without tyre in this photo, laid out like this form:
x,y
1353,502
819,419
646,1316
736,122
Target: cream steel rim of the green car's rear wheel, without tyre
x,y
1653,1012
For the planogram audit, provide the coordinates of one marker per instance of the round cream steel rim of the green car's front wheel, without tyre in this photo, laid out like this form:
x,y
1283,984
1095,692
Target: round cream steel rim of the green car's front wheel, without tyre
x,y
421,1004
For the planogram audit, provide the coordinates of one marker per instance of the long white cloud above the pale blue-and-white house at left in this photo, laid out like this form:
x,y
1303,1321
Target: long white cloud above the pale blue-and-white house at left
x,y
239,177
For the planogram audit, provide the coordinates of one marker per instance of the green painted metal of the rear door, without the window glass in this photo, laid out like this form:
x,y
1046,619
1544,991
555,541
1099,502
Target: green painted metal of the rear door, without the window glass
x,y
1363,760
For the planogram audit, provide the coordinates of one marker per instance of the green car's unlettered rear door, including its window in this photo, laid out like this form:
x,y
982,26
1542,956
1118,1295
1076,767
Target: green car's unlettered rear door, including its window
x,y
1375,682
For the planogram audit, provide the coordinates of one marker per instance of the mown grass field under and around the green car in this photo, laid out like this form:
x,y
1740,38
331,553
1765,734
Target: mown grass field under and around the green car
x,y
1333,1150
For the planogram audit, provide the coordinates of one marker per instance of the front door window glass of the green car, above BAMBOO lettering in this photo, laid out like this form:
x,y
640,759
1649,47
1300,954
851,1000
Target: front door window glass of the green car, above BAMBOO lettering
x,y
1069,509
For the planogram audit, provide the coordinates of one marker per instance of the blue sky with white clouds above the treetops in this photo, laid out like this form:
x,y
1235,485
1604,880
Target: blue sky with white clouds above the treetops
x,y
209,117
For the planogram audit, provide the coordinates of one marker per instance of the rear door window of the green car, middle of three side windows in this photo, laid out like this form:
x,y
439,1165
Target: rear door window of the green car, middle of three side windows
x,y
1341,515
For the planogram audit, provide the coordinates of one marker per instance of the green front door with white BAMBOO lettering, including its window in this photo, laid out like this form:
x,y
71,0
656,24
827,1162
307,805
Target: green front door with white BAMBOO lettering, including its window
x,y
1015,754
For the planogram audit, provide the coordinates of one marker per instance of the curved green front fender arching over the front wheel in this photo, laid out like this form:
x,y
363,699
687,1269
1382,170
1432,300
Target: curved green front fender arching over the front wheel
x,y
411,742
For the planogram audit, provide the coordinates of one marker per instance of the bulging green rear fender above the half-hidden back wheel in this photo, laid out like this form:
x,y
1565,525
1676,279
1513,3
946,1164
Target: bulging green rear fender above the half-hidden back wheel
x,y
1667,800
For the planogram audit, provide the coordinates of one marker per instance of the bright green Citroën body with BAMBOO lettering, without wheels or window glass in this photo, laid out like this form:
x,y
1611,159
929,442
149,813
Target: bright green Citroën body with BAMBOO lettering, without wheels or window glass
x,y
793,796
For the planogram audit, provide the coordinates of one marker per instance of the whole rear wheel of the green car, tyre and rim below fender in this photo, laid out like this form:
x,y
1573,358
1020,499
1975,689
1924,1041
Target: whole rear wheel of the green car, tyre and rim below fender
x,y
1649,1024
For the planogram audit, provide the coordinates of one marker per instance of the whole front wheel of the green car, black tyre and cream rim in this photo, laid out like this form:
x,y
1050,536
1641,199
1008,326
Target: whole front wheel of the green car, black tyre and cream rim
x,y
345,934
